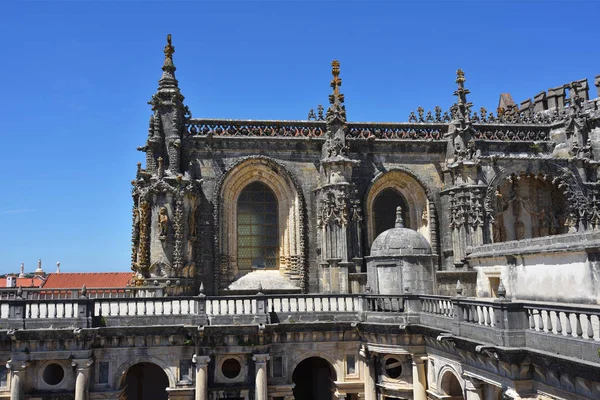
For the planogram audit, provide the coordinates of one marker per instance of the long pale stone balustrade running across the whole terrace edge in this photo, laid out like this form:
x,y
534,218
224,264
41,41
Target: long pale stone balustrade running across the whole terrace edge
x,y
570,330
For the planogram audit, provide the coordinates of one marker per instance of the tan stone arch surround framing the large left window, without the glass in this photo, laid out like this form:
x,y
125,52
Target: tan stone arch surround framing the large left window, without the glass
x,y
290,218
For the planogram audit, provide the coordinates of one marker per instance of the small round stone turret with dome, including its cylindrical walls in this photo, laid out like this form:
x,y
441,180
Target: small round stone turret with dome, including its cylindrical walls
x,y
401,260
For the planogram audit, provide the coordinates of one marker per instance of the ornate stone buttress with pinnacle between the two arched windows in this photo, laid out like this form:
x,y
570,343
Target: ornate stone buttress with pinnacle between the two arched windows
x,y
339,219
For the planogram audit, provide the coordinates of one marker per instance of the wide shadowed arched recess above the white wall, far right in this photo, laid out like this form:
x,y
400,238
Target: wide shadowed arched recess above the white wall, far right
x,y
528,206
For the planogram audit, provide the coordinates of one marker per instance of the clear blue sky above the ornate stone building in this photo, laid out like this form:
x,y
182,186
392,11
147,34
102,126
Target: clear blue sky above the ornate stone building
x,y
76,77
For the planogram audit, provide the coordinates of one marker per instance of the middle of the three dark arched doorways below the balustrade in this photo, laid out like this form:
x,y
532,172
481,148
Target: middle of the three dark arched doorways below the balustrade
x,y
312,378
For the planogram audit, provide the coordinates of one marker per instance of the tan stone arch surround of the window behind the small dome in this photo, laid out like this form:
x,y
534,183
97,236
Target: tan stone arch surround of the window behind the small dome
x,y
412,191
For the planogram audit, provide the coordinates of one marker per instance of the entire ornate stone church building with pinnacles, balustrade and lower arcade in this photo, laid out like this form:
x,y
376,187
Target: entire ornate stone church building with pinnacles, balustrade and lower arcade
x,y
453,256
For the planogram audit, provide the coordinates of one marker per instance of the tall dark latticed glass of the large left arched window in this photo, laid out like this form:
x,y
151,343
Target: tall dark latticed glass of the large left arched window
x,y
257,228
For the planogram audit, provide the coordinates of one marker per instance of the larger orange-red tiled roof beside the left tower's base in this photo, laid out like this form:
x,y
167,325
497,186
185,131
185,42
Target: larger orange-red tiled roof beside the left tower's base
x,y
89,279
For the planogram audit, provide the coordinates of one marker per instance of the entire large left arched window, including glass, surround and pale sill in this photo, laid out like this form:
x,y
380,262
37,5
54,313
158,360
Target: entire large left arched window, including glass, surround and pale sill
x,y
264,191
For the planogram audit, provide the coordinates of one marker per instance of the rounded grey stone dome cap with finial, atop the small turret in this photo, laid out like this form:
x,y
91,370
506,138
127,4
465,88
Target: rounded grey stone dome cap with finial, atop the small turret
x,y
400,241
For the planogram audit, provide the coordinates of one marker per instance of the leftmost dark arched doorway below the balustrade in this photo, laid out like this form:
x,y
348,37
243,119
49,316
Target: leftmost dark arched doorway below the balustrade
x,y
146,381
